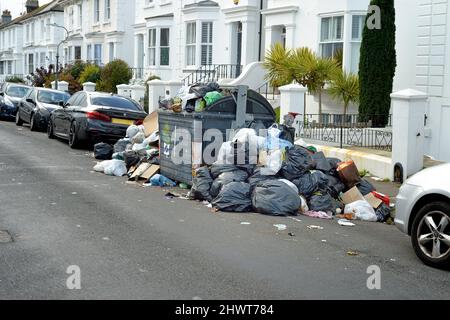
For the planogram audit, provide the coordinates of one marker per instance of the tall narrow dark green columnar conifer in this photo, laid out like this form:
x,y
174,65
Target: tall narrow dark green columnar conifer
x,y
377,64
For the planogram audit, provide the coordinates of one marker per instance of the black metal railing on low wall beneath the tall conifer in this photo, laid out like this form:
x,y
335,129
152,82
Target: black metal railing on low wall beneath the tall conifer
x,y
347,130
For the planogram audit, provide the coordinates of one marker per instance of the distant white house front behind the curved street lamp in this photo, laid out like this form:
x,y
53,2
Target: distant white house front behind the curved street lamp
x,y
39,39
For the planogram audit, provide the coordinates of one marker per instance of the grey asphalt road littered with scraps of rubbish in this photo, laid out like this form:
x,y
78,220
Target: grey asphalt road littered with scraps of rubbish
x,y
133,243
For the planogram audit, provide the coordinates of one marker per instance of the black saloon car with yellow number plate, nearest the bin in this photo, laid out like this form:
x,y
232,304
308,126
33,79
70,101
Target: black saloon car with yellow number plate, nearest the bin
x,y
90,117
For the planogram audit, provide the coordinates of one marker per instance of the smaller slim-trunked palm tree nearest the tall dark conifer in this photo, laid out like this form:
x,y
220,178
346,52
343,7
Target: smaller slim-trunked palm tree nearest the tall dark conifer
x,y
345,88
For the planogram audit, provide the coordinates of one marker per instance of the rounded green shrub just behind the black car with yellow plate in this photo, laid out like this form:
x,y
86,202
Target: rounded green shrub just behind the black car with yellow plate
x,y
114,73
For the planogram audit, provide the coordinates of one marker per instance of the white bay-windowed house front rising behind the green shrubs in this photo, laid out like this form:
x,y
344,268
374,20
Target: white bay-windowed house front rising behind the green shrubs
x,y
99,30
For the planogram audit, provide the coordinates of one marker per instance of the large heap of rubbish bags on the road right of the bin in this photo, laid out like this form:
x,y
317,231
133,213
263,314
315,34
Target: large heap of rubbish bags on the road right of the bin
x,y
285,179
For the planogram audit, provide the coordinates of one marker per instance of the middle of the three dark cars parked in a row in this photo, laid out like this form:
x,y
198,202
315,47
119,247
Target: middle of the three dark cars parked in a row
x,y
35,108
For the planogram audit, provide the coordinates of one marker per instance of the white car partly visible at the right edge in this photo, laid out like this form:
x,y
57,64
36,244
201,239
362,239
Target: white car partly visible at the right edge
x,y
423,212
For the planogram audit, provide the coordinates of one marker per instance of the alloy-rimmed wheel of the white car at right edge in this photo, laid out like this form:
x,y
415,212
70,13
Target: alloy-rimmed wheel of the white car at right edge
x,y
431,235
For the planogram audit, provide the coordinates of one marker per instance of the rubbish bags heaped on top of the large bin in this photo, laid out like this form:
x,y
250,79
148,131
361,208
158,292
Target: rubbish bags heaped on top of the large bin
x,y
194,98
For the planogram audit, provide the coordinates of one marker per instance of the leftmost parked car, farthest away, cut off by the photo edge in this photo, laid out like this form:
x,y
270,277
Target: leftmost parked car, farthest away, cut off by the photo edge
x,y
10,96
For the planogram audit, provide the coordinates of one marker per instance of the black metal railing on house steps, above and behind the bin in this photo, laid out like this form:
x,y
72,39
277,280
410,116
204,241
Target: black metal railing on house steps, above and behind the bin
x,y
213,73
